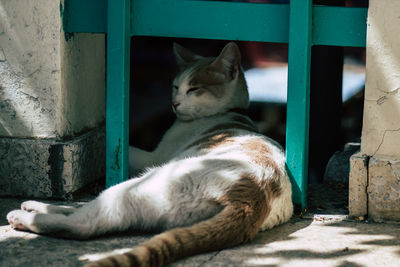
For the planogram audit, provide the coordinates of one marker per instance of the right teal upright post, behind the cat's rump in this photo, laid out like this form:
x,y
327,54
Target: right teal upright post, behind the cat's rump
x,y
298,100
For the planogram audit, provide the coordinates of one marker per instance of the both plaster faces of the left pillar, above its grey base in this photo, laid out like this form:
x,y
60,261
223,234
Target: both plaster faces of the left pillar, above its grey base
x,y
49,87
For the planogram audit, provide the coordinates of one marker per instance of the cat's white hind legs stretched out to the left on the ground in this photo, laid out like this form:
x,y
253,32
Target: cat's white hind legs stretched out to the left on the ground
x,y
113,210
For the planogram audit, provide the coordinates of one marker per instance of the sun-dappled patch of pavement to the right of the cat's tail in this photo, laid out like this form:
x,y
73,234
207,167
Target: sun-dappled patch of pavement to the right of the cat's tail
x,y
316,243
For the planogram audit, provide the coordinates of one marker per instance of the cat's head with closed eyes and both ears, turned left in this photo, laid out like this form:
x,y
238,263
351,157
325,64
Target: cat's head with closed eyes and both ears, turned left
x,y
207,86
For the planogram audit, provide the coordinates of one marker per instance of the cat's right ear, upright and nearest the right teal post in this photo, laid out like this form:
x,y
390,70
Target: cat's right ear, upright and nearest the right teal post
x,y
228,61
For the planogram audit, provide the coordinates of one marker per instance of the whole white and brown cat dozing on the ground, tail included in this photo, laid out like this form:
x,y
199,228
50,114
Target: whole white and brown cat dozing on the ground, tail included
x,y
213,182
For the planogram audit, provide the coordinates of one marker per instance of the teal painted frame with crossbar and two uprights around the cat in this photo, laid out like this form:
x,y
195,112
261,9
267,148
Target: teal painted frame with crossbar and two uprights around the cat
x,y
299,23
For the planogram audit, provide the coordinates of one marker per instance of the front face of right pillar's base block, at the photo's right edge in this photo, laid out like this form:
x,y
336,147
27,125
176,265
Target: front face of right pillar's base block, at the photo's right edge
x,y
384,189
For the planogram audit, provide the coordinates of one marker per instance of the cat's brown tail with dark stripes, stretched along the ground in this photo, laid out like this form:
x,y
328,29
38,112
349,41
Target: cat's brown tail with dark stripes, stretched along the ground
x,y
246,207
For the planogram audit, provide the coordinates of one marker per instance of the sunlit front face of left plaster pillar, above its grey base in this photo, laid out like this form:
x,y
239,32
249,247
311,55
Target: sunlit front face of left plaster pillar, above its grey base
x,y
30,71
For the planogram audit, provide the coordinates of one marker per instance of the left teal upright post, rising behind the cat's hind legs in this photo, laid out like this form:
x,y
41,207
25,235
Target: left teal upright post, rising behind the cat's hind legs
x,y
117,105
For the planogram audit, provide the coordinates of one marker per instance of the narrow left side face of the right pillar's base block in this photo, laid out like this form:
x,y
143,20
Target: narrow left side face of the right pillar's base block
x,y
358,182
